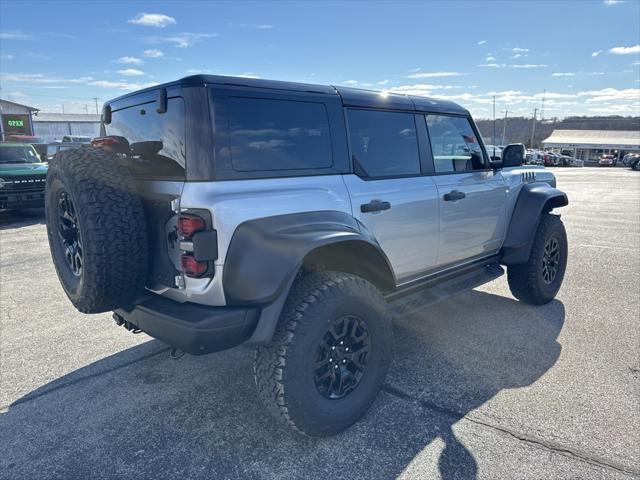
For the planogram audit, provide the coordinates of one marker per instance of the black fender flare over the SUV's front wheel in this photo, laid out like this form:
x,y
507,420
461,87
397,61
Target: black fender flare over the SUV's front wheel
x,y
533,200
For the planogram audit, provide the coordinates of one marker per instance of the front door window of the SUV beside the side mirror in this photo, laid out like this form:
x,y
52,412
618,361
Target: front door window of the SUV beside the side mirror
x,y
454,144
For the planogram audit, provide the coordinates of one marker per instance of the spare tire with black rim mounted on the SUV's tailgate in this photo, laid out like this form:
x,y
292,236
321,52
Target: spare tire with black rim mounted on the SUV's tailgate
x,y
96,228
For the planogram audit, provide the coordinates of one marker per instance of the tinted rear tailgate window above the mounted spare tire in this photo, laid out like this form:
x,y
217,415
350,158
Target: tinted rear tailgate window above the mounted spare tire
x,y
157,140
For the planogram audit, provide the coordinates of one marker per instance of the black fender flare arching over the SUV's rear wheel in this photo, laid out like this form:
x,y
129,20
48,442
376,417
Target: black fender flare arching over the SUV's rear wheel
x,y
266,254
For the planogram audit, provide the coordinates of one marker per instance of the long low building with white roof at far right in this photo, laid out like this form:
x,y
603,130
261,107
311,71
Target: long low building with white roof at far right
x,y
590,145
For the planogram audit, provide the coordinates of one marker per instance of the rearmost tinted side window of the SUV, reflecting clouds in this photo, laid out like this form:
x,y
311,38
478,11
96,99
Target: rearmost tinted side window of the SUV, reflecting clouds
x,y
278,135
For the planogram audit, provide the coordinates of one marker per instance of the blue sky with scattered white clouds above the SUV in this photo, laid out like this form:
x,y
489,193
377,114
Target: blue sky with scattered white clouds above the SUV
x,y
585,54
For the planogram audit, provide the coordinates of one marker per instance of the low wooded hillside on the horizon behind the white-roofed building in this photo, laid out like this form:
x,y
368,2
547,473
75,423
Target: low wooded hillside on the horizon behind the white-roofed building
x,y
519,128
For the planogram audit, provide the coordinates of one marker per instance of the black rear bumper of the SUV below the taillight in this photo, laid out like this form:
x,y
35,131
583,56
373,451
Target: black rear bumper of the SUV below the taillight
x,y
195,329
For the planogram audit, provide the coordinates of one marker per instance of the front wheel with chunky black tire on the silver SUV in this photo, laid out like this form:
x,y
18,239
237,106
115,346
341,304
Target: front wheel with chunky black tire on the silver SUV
x,y
526,281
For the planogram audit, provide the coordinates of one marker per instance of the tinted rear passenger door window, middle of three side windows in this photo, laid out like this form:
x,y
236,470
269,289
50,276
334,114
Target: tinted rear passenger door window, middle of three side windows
x,y
383,144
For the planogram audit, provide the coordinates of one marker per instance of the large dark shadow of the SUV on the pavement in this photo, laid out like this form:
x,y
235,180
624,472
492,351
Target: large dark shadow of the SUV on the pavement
x,y
140,414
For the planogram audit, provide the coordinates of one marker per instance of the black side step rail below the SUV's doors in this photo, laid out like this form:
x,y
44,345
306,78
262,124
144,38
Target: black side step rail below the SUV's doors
x,y
438,290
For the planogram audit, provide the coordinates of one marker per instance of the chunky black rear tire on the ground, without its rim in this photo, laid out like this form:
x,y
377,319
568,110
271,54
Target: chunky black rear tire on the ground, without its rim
x,y
285,368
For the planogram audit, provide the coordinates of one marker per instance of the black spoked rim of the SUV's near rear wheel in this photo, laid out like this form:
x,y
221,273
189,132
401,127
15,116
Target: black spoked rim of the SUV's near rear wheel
x,y
341,357
